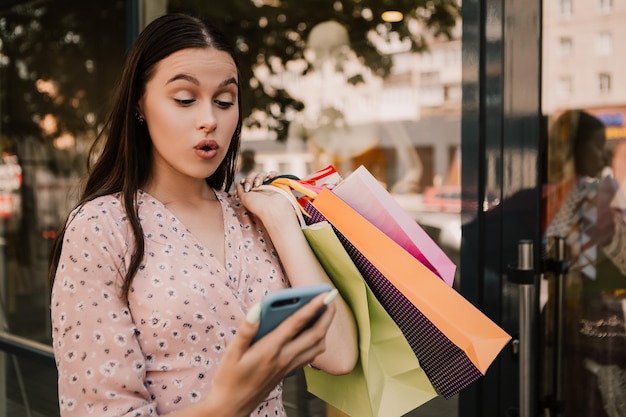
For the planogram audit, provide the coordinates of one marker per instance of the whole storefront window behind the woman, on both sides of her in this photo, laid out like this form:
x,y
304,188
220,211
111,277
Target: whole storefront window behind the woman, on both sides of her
x,y
332,84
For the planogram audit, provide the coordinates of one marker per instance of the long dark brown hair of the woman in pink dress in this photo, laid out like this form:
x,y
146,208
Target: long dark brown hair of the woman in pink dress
x,y
123,151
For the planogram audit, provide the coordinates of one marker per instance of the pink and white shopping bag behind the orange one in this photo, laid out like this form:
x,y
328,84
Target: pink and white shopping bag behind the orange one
x,y
362,191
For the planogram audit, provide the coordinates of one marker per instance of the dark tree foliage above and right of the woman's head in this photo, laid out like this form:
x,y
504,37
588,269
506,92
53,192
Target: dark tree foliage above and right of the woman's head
x,y
273,32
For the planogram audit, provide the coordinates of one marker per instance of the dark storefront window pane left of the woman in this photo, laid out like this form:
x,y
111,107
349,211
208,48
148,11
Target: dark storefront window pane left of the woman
x,y
58,60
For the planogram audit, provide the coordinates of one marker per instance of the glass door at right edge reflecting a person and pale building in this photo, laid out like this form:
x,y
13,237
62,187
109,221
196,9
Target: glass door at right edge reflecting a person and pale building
x,y
583,303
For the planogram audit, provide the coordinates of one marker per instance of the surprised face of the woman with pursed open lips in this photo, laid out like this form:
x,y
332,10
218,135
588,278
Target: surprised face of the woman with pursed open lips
x,y
190,108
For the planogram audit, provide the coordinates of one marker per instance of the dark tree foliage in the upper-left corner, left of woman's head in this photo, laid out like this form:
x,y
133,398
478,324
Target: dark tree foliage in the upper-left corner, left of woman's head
x,y
60,59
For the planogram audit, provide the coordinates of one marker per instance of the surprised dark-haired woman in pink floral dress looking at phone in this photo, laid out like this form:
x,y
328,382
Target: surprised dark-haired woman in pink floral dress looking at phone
x,y
158,272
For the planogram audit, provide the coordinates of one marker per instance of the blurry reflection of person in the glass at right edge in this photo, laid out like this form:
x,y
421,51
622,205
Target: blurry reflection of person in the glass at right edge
x,y
579,208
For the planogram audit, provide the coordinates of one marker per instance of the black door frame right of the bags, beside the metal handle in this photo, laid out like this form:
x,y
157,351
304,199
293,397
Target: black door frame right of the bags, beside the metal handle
x,y
501,142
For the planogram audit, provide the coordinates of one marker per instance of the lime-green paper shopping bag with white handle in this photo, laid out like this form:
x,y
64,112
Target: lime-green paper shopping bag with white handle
x,y
387,380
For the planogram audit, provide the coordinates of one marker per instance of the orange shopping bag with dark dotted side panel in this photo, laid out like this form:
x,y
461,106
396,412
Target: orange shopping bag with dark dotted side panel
x,y
453,340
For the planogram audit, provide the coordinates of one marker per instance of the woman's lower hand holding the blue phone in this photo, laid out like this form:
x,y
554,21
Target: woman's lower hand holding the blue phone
x,y
248,373
